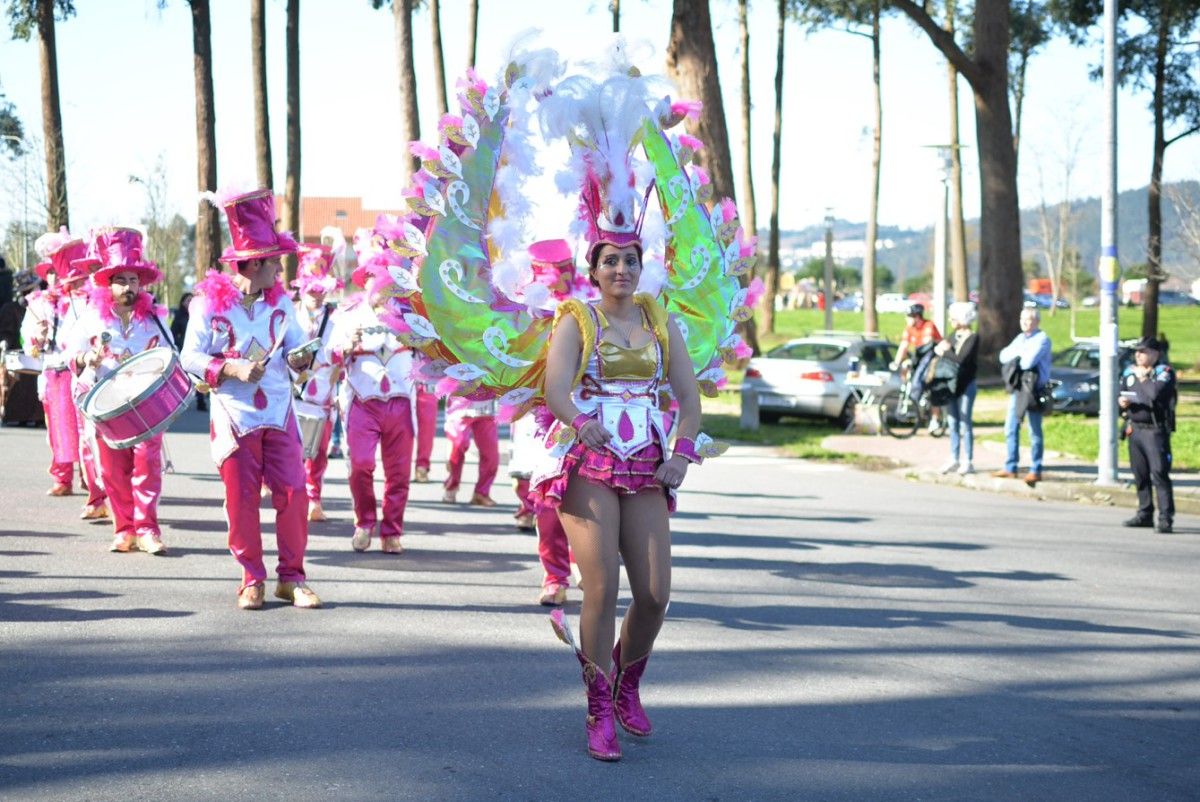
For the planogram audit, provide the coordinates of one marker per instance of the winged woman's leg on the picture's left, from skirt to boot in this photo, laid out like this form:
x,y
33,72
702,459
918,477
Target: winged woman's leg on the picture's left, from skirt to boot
x,y
592,516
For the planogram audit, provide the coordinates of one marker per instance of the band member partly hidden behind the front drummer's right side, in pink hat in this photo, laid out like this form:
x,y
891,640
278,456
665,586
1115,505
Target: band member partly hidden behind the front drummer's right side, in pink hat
x,y
319,386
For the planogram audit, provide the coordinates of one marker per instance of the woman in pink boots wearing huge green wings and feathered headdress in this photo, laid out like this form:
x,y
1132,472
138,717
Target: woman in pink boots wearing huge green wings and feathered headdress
x,y
610,363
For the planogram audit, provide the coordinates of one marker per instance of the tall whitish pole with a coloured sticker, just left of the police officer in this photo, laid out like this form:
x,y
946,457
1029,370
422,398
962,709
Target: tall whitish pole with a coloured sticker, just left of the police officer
x,y
1111,270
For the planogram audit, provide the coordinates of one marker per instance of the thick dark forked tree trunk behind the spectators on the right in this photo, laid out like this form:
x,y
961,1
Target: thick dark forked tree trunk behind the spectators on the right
x,y
1000,228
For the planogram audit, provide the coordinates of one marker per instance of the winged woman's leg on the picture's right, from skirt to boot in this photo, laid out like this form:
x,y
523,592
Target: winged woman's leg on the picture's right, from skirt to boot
x,y
646,552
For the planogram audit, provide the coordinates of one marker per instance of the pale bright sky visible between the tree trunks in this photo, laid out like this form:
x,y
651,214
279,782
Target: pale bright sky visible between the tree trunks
x,y
125,77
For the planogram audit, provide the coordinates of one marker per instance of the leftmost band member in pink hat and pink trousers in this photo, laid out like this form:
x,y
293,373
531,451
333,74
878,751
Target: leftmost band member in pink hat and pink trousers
x,y
49,316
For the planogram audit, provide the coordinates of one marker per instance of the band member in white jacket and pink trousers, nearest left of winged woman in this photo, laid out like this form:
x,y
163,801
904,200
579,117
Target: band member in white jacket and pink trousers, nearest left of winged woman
x,y
377,409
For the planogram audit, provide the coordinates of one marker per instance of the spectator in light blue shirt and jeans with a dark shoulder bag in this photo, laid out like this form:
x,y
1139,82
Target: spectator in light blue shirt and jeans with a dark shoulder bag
x,y
1030,354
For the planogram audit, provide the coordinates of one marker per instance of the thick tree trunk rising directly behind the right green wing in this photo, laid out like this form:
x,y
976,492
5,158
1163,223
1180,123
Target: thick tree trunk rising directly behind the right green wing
x,y
692,64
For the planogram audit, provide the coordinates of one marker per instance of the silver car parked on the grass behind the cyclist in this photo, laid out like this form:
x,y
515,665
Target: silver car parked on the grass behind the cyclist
x,y
807,378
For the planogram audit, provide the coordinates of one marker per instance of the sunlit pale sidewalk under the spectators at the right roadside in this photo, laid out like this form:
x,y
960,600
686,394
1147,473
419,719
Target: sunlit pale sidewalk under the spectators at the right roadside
x,y
1064,478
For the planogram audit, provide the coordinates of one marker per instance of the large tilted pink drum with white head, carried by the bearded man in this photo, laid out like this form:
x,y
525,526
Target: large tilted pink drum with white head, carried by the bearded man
x,y
140,399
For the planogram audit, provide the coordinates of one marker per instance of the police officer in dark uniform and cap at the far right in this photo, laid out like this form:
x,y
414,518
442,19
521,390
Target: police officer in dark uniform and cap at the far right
x,y
1148,396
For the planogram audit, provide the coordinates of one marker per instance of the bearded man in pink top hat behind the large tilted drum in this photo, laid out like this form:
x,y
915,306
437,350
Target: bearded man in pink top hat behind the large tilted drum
x,y
123,320
